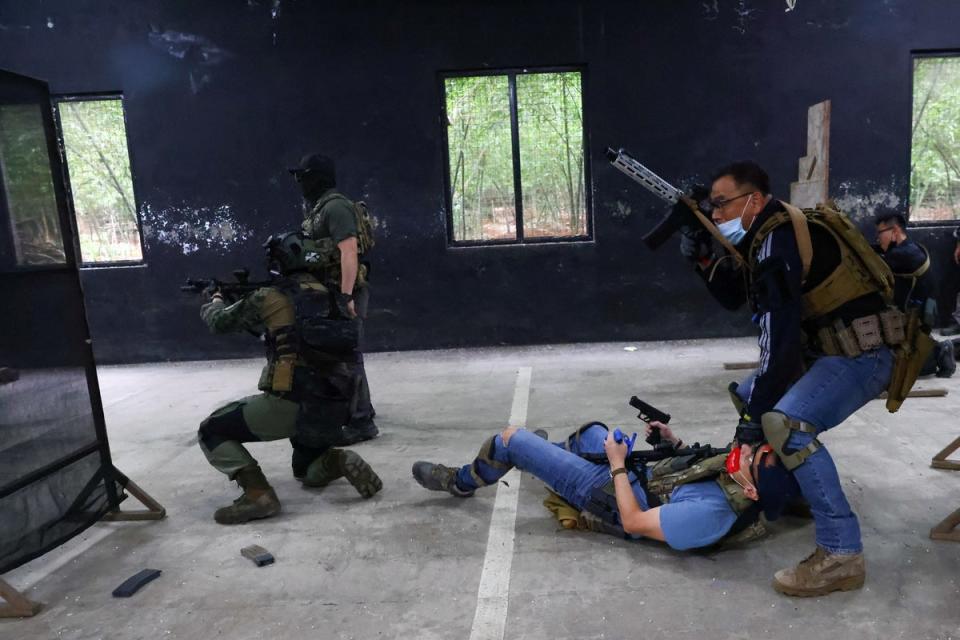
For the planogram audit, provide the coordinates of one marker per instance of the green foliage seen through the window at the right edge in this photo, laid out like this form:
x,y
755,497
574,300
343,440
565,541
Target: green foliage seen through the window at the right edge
x,y
935,161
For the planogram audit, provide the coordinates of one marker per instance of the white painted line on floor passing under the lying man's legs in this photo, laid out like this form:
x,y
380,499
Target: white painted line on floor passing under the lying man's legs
x,y
493,596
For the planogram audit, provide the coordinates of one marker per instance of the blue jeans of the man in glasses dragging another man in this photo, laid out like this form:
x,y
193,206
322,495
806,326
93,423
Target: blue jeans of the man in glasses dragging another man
x,y
826,395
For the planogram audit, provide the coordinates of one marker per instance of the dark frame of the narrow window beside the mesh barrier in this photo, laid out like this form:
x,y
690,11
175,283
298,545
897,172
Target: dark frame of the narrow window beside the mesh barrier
x,y
55,101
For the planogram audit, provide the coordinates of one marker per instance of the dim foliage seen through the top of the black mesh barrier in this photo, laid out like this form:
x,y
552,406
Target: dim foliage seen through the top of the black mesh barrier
x,y
28,186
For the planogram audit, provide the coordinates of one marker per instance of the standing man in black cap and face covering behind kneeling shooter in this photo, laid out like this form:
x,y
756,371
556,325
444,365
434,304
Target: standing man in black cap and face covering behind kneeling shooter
x,y
332,221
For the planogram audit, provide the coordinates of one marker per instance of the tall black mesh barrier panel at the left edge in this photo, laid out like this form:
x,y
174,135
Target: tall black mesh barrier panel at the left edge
x,y
56,477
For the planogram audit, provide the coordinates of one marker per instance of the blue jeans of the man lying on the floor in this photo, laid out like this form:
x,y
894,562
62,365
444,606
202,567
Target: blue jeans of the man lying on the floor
x,y
569,475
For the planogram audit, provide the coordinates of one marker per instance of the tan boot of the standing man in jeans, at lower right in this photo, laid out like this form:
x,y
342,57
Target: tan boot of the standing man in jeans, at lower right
x,y
821,573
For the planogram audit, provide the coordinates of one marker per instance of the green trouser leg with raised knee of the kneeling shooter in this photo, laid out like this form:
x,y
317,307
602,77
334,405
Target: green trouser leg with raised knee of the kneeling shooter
x,y
258,418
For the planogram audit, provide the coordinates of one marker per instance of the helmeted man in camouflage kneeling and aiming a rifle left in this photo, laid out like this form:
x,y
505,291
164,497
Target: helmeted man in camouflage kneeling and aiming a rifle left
x,y
306,385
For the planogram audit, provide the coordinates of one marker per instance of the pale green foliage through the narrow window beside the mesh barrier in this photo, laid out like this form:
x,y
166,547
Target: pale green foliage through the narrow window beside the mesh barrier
x,y
95,141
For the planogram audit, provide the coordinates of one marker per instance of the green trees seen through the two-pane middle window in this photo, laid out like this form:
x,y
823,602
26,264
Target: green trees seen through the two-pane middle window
x,y
516,156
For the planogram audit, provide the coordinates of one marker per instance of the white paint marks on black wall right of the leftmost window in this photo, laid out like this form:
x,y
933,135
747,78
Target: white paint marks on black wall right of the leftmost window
x,y
193,228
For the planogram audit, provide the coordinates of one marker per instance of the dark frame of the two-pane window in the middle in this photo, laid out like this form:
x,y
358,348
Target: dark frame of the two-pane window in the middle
x,y
512,73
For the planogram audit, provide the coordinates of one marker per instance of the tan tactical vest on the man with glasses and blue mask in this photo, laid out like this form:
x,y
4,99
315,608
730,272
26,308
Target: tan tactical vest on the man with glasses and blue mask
x,y
860,272
